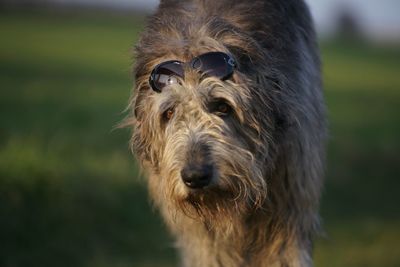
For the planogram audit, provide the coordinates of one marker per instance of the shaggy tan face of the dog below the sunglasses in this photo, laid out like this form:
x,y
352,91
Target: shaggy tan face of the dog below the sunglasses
x,y
201,143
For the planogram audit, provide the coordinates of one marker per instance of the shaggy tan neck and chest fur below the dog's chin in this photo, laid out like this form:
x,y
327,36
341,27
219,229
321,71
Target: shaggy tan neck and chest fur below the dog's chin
x,y
237,243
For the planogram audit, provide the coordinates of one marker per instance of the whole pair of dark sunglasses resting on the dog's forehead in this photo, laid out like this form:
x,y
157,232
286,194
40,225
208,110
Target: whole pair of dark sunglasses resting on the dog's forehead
x,y
212,64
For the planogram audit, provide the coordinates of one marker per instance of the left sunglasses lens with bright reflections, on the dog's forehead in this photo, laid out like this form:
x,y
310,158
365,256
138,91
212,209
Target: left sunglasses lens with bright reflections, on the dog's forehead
x,y
168,73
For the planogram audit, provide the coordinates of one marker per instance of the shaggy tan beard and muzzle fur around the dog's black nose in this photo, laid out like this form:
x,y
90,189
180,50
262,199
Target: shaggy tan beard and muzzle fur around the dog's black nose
x,y
238,188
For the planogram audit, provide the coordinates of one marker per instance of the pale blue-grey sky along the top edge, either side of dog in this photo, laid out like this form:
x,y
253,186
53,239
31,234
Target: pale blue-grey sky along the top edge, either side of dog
x,y
379,19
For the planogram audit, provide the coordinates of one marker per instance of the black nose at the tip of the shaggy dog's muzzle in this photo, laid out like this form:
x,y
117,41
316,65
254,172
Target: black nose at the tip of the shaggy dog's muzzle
x,y
197,177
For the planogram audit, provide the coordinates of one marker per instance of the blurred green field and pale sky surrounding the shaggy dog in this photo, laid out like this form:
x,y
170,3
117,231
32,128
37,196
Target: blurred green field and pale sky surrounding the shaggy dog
x,y
69,188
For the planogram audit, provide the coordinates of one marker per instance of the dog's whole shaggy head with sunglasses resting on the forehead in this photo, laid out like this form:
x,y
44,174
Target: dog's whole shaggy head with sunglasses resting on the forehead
x,y
204,139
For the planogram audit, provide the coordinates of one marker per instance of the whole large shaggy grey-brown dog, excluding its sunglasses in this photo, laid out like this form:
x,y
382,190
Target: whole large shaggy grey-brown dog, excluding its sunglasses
x,y
264,157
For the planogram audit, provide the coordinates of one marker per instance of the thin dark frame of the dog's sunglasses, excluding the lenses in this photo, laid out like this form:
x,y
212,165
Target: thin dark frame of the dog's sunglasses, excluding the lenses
x,y
229,60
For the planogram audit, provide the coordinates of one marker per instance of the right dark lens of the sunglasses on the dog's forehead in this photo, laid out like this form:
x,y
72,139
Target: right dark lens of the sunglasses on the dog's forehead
x,y
215,64
